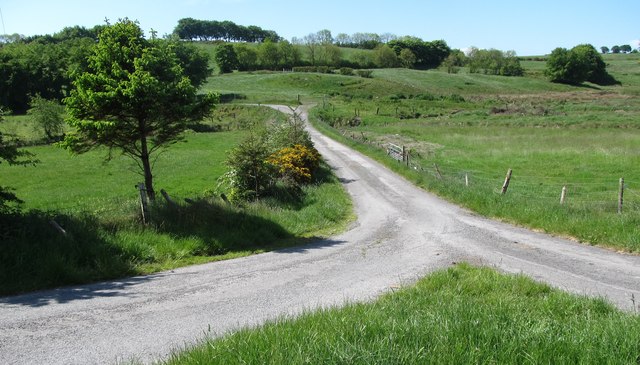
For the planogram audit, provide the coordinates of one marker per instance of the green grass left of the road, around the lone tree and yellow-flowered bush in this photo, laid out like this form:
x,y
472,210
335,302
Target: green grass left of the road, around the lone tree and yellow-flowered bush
x,y
97,204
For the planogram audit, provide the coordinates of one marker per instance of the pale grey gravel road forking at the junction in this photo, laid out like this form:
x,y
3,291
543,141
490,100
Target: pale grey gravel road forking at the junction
x,y
401,234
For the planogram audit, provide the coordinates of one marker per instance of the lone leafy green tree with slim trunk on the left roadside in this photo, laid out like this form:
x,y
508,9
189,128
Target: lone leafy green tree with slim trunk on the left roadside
x,y
136,98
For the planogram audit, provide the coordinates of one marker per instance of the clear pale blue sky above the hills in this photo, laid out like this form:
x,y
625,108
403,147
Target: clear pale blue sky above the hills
x,y
529,27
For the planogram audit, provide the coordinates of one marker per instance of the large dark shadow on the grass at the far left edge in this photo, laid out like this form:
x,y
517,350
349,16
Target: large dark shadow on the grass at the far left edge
x,y
35,255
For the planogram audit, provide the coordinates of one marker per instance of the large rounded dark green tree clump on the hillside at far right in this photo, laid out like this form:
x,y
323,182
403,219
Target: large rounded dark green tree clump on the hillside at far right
x,y
577,65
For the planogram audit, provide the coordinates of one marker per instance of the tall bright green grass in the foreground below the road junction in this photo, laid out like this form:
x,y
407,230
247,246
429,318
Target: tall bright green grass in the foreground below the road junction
x,y
462,315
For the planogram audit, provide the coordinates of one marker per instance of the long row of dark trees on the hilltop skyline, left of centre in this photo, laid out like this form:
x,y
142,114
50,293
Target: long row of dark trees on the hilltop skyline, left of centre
x,y
213,30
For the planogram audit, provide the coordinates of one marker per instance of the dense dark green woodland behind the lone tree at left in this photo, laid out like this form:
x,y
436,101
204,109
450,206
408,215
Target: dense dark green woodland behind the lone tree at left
x,y
46,65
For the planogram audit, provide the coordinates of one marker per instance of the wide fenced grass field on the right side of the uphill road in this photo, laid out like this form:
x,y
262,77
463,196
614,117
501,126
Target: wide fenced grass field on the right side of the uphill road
x,y
585,138
